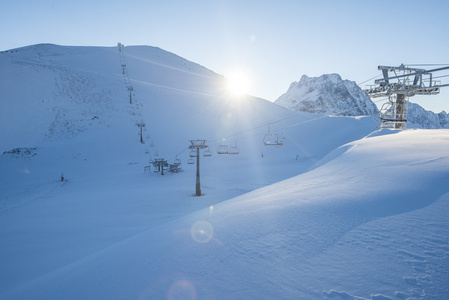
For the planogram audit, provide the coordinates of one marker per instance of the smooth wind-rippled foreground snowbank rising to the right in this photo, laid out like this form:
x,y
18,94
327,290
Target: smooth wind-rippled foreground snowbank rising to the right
x,y
345,229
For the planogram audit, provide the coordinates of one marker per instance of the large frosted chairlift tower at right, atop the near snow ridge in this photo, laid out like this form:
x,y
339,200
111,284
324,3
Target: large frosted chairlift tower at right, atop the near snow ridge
x,y
398,84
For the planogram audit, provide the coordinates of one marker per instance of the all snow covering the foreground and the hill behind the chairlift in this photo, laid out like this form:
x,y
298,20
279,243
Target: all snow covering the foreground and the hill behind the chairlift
x,y
342,211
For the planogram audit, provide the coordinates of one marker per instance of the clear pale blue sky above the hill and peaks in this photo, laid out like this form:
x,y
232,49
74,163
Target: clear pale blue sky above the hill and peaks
x,y
276,42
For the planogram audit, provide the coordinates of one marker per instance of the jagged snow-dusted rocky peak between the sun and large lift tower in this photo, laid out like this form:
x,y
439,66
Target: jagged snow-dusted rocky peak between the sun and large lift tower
x,y
327,94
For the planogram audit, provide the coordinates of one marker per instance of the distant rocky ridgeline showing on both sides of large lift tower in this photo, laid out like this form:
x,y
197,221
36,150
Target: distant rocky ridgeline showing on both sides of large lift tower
x,y
329,94
